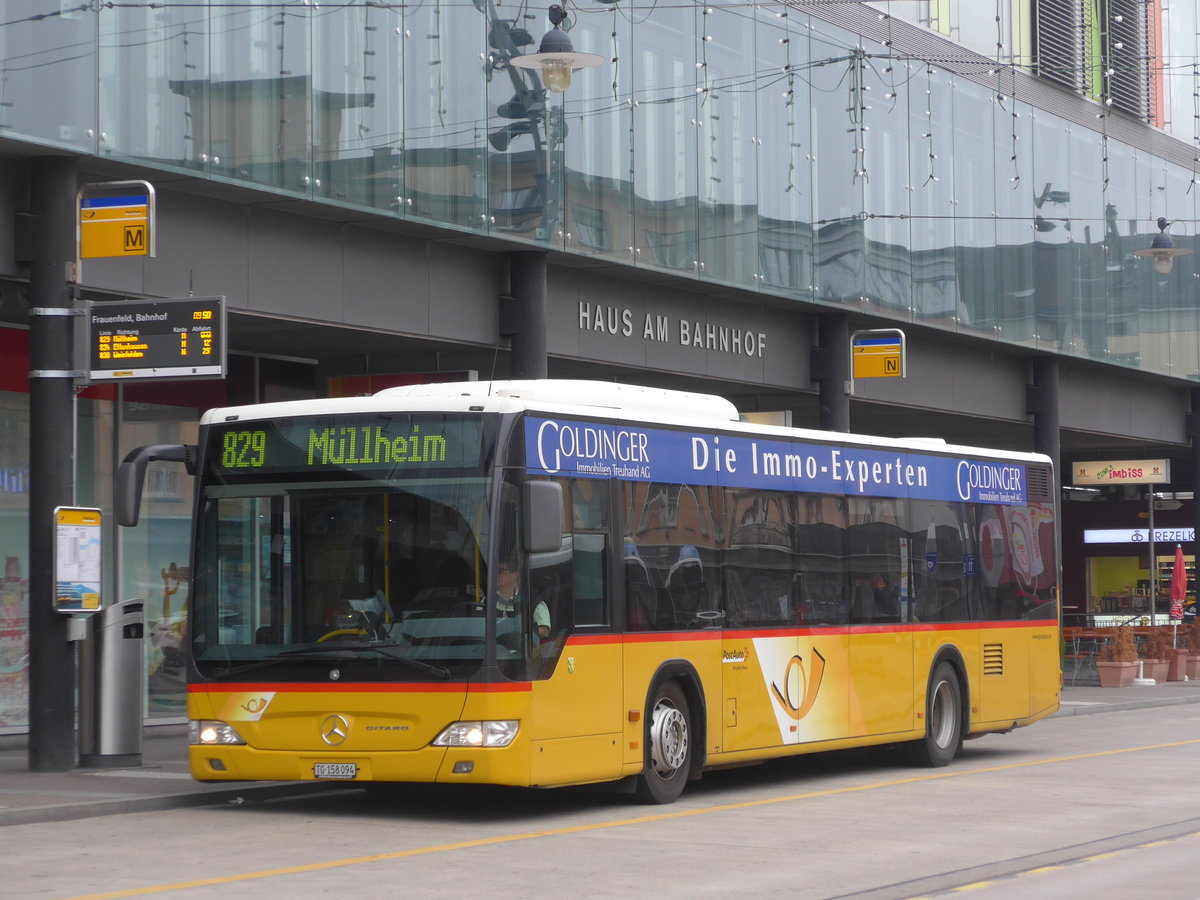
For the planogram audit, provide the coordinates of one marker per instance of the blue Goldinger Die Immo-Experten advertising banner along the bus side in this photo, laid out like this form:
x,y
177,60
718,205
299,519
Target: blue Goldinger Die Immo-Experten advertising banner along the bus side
x,y
561,447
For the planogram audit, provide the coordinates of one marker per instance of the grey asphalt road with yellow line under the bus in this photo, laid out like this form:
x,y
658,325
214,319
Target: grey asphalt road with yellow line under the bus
x,y
1095,806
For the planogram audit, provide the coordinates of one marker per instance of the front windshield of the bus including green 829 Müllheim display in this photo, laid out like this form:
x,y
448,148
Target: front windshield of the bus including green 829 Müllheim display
x,y
335,559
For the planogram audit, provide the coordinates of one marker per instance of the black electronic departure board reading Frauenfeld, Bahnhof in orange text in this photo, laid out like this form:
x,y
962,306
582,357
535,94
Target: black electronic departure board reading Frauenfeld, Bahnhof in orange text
x,y
145,340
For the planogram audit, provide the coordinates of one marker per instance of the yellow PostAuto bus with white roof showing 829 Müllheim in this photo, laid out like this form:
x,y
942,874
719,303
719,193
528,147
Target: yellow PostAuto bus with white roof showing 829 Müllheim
x,y
548,584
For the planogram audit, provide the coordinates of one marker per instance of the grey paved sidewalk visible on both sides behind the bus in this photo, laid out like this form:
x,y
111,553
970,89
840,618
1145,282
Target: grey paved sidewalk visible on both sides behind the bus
x,y
163,782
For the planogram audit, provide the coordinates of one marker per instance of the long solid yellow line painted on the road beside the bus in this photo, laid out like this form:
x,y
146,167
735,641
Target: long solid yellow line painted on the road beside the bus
x,y
616,824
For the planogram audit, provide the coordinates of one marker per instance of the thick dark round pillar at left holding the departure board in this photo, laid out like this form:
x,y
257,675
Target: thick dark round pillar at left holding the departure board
x,y
52,680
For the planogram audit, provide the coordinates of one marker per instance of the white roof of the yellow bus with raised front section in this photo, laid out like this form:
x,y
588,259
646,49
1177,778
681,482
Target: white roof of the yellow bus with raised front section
x,y
573,398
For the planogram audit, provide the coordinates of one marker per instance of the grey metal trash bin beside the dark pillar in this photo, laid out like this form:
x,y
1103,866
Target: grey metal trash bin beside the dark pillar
x,y
111,687
